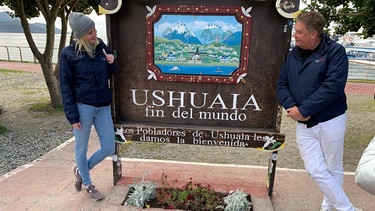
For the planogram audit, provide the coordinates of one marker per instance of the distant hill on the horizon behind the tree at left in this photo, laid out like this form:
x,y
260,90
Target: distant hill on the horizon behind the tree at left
x,y
13,25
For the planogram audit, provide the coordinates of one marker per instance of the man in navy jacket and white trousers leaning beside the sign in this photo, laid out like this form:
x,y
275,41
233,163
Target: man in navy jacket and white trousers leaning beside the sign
x,y
311,88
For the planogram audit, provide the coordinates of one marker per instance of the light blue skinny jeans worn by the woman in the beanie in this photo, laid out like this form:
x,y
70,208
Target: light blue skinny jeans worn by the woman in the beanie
x,y
101,118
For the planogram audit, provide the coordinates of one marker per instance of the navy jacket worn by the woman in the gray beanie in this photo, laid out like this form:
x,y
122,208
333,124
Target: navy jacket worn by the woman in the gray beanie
x,y
84,80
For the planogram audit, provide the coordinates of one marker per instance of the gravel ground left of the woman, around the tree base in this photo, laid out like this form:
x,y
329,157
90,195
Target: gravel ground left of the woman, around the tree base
x,y
30,134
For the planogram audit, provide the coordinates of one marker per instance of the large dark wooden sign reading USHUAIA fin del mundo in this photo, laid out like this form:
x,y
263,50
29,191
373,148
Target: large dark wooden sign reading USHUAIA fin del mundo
x,y
199,72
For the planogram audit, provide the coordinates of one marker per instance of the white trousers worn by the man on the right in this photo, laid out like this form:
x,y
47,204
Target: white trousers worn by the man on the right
x,y
322,149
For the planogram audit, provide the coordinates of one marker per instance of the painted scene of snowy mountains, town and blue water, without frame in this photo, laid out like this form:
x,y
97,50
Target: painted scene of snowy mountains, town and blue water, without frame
x,y
197,44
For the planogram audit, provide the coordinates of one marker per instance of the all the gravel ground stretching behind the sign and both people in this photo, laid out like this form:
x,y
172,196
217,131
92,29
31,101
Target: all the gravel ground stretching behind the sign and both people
x,y
32,134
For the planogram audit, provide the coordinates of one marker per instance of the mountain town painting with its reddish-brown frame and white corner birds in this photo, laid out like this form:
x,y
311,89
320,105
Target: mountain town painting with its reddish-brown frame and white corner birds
x,y
172,58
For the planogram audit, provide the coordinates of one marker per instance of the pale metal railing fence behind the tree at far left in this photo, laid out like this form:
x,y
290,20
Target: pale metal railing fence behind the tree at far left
x,y
22,54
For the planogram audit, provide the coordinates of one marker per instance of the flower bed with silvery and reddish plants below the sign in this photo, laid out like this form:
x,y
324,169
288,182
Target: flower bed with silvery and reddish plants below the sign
x,y
192,196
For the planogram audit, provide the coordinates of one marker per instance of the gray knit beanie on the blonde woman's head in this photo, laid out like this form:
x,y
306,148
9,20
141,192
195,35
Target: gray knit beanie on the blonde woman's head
x,y
80,24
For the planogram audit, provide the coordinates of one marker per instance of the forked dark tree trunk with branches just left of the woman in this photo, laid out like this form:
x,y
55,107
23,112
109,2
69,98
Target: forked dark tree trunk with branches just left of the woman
x,y
50,10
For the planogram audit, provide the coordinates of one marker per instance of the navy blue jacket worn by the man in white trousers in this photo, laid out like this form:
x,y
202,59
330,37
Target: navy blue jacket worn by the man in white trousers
x,y
316,85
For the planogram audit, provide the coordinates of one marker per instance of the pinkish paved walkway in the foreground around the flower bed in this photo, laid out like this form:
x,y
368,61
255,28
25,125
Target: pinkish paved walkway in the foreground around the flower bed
x,y
47,184
